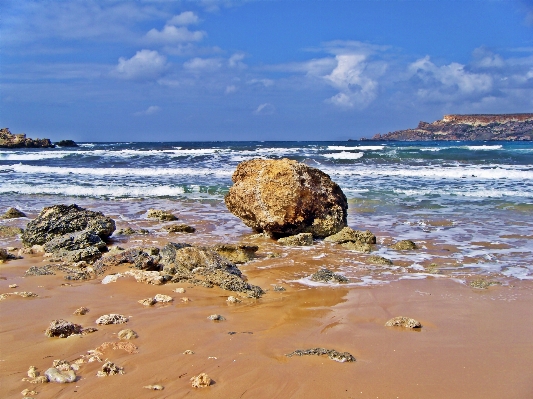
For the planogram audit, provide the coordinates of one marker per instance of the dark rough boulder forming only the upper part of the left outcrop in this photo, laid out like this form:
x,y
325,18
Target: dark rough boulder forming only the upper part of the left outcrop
x,y
58,220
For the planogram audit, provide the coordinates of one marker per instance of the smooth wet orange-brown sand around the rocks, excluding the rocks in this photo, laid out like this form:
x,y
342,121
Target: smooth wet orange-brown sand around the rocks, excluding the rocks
x,y
474,343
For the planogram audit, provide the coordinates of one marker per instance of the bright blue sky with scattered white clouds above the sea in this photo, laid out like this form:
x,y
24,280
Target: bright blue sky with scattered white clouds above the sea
x,y
182,70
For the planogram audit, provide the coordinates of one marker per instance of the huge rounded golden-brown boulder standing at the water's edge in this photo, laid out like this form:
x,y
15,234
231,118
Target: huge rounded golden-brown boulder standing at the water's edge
x,y
285,197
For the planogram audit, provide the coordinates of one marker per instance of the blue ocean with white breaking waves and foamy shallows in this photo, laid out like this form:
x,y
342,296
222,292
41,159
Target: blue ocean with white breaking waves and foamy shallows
x,y
470,204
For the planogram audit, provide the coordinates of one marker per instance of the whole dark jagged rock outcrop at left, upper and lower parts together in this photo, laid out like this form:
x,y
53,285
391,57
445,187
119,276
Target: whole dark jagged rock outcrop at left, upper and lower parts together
x,y
70,233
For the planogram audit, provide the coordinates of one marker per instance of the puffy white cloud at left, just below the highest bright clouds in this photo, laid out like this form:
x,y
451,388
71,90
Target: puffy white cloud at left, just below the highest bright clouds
x,y
144,65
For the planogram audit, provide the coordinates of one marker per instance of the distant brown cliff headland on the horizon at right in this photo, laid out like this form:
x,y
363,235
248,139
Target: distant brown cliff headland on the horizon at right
x,y
508,127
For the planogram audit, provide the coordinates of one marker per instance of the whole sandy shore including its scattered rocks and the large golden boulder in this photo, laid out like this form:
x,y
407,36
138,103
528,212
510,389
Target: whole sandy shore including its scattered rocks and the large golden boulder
x,y
97,305
